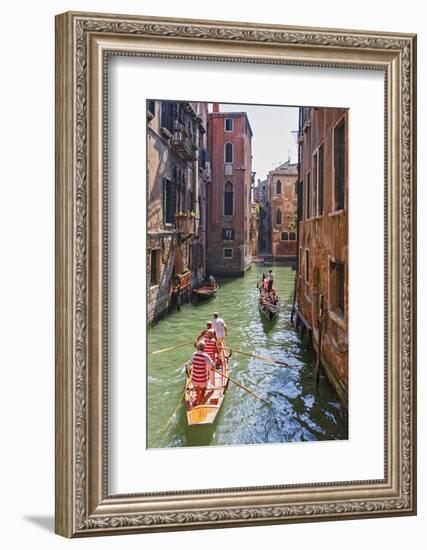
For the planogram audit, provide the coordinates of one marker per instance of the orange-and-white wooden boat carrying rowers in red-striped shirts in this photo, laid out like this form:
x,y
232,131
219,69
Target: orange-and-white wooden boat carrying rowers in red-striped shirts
x,y
198,415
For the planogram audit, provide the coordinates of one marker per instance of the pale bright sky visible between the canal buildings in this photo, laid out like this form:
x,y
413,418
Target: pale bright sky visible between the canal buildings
x,y
273,141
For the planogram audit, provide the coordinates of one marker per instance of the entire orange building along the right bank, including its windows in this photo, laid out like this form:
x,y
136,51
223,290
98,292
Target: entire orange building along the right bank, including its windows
x,y
323,238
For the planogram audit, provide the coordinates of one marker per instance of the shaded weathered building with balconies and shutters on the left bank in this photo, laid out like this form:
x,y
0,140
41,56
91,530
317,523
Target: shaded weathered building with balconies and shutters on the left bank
x,y
177,173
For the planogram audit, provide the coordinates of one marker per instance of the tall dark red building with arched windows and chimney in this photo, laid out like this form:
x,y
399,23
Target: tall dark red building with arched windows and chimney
x,y
229,195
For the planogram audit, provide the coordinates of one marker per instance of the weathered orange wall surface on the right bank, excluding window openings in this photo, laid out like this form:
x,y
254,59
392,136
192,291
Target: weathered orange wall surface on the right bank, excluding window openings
x,y
326,238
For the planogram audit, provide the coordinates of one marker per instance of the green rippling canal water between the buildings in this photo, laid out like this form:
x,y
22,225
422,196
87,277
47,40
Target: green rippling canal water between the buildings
x,y
298,411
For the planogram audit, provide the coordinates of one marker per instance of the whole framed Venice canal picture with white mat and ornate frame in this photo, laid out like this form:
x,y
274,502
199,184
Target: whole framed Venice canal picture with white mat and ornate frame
x,y
235,274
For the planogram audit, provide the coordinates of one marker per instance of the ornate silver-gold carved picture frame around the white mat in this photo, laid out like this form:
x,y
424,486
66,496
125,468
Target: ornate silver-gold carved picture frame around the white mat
x,y
83,41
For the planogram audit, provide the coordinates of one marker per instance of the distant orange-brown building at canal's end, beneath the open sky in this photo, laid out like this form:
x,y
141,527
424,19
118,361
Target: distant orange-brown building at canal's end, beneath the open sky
x,y
283,211
